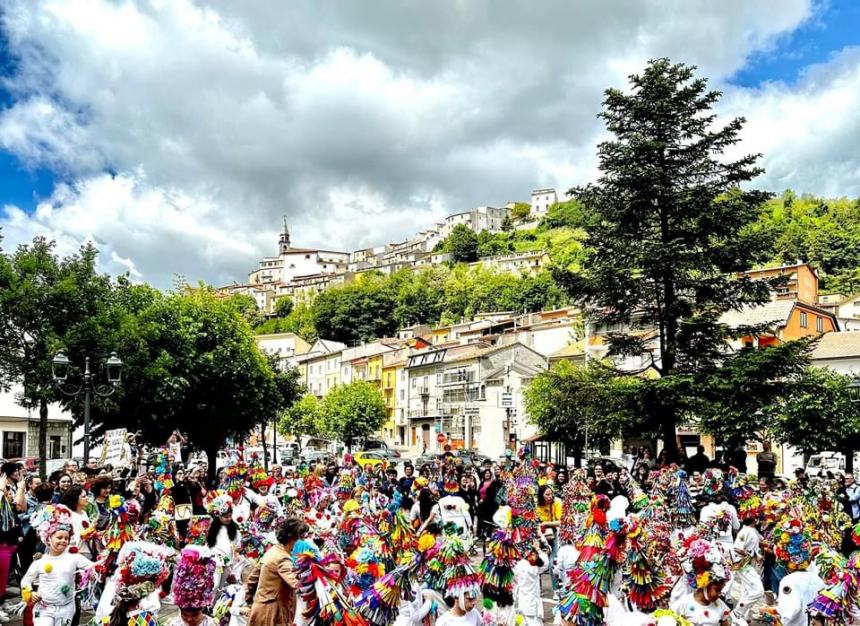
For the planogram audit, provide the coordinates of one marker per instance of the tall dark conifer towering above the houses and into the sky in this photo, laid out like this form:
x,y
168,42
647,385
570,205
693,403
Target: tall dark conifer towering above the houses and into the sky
x,y
674,230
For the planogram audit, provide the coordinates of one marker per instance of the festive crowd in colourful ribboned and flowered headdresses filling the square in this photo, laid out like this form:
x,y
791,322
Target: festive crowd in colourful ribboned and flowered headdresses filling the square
x,y
445,543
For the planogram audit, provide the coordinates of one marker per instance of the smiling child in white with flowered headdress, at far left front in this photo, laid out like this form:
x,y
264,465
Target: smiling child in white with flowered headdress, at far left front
x,y
54,573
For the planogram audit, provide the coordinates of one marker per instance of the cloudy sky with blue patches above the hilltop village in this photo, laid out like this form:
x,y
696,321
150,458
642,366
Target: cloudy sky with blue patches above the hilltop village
x,y
176,134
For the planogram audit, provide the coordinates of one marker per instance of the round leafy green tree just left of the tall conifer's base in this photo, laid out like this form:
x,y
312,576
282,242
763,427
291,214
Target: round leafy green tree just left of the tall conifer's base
x,y
581,405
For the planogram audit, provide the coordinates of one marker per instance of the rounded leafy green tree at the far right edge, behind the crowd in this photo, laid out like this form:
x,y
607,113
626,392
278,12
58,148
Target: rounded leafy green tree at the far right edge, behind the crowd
x,y
819,414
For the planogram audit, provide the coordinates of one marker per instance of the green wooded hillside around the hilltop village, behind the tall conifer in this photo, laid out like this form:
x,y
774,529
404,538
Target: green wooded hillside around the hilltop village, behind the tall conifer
x,y
824,232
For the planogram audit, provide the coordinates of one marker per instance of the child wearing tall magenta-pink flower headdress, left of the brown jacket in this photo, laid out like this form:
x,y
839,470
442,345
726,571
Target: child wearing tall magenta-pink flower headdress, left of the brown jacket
x,y
193,589
